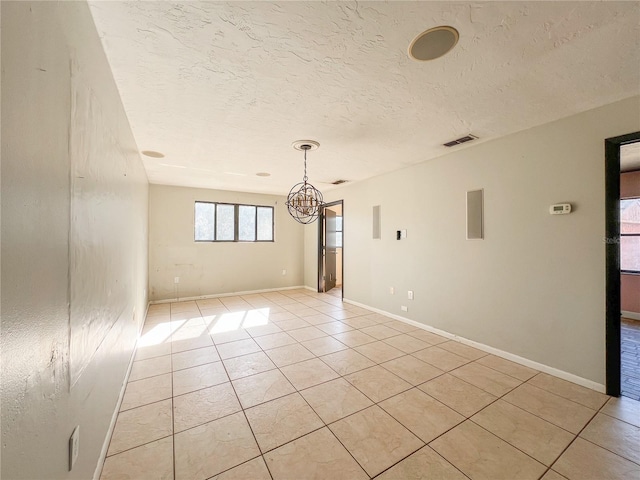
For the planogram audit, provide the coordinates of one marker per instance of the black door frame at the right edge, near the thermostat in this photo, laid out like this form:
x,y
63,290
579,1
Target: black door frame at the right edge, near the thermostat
x,y
612,226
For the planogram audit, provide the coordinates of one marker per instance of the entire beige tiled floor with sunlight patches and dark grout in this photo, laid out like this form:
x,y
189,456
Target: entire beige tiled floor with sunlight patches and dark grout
x,y
297,385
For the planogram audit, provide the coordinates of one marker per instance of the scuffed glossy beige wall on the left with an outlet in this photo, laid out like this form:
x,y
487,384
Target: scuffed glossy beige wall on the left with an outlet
x,y
74,240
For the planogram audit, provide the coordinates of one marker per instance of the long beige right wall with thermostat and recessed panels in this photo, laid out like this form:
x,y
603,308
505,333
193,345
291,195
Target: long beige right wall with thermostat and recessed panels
x,y
534,286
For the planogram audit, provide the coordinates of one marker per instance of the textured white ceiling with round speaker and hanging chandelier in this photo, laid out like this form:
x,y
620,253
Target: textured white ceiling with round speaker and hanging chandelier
x,y
223,89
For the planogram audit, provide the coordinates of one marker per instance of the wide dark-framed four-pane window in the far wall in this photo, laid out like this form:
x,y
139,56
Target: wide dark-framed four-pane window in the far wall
x,y
226,222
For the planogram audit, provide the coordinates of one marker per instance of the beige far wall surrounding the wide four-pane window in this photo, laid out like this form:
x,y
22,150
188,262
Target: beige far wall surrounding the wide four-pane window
x,y
209,268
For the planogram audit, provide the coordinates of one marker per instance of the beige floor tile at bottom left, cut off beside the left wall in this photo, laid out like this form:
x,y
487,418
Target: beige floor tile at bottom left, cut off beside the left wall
x,y
153,461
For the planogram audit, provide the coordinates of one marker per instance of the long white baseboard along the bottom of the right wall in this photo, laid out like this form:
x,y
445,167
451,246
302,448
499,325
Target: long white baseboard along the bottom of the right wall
x,y
570,377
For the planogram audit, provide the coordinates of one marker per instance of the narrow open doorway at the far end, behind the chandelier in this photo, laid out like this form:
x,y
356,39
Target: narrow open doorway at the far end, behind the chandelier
x,y
330,249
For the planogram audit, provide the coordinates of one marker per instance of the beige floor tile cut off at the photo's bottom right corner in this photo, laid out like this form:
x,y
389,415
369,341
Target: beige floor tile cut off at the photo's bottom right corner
x,y
585,461
